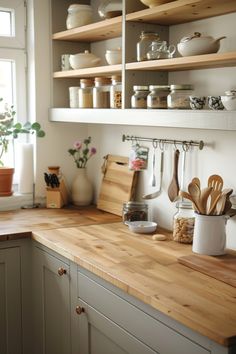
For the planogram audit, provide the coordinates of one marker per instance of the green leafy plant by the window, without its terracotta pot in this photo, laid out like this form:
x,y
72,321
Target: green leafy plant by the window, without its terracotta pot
x,y
11,130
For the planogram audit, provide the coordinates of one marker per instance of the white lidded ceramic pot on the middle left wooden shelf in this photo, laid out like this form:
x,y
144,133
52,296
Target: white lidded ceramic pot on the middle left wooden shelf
x,y
84,60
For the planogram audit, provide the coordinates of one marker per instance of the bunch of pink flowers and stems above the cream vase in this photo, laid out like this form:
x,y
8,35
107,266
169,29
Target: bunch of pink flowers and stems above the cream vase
x,y
81,152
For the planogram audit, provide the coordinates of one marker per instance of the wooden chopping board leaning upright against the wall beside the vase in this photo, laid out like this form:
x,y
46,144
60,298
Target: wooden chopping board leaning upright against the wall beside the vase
x,y
118,184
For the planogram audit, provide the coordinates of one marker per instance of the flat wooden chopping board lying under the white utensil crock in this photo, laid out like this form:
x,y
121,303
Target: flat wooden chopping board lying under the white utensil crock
x,y
222,268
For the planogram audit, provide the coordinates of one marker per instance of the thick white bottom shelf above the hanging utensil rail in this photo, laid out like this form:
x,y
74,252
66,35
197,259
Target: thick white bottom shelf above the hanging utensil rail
x,y
202,119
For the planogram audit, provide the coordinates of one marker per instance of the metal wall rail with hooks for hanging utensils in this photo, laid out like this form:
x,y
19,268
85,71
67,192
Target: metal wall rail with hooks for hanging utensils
x,y
184,143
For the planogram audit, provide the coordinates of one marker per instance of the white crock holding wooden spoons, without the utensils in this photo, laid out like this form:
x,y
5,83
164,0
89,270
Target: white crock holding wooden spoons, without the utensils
x,y
209,236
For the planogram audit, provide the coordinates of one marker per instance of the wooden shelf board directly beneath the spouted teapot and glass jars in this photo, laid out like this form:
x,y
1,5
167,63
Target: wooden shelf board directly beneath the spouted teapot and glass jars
x,y
186,63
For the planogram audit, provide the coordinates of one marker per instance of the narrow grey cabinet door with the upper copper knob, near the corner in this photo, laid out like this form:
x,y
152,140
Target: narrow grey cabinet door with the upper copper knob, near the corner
x,y
51,304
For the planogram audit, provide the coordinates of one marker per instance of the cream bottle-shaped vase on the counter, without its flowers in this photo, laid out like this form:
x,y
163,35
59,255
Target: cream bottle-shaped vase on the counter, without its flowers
x,y
81,189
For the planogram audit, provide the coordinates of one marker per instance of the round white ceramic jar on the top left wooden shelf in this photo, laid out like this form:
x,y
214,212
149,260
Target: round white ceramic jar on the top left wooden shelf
x,y
78,15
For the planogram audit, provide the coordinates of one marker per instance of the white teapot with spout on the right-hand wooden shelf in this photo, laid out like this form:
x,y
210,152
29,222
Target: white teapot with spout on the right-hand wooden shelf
x,y
198,44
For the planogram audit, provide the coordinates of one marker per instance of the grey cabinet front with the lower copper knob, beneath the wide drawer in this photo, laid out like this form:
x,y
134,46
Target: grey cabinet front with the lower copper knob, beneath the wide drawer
x,y
99,335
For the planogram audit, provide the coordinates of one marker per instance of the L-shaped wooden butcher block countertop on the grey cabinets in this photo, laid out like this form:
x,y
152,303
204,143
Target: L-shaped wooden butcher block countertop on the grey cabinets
x,y
141,267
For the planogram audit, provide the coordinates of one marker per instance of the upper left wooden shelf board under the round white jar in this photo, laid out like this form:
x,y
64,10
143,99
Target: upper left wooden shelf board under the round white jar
x,y
106,29
